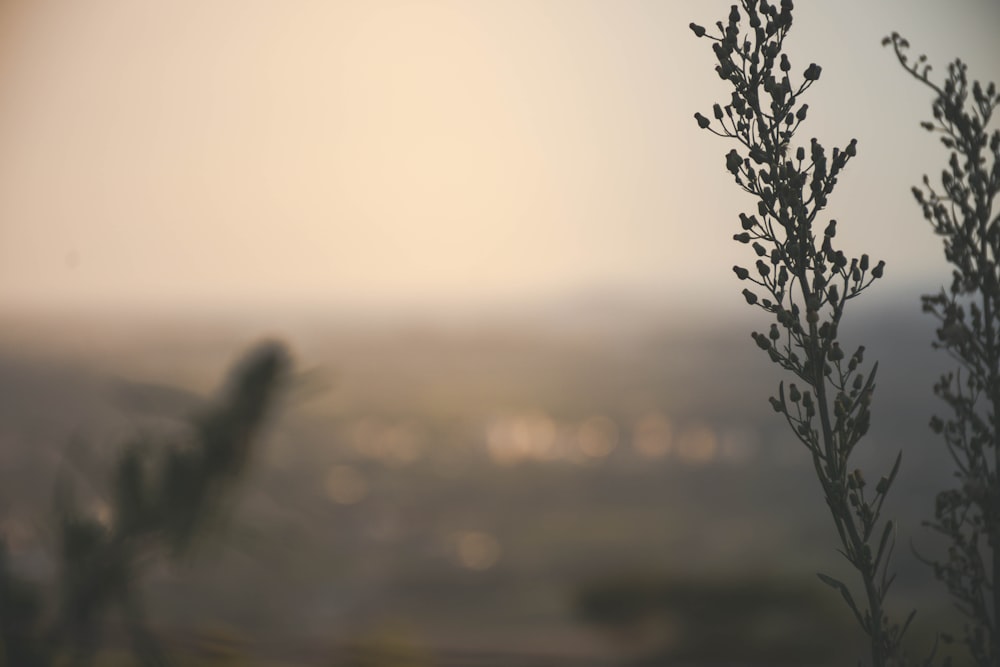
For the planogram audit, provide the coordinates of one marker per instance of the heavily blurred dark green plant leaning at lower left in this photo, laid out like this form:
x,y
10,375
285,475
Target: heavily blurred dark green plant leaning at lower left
x,y
160,500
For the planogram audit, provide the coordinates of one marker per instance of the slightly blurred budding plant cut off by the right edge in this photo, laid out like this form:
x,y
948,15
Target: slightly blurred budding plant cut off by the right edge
x,y
968,515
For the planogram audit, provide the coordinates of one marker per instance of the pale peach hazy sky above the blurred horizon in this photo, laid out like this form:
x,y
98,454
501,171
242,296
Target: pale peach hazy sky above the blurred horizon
x,y
376,152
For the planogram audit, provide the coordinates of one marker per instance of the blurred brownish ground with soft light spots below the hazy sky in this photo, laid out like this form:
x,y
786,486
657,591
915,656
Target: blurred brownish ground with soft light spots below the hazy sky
x,y
587,486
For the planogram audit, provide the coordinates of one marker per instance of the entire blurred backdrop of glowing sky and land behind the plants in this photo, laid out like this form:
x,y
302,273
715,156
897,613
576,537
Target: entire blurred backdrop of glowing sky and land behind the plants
x,y
528,425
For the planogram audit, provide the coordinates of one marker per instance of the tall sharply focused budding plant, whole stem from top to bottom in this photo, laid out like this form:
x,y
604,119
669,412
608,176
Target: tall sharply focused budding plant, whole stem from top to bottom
x,y
805,283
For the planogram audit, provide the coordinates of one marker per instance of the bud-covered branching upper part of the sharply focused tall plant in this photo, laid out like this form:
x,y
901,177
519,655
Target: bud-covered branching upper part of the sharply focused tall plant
x,y
800,277
